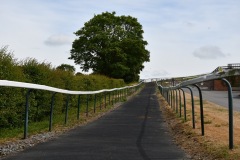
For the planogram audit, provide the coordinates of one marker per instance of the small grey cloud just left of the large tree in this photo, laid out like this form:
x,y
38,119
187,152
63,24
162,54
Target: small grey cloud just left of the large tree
x,y
57,40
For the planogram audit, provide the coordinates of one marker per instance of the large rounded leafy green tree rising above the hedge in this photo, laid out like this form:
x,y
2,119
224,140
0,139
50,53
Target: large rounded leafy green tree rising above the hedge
x,y
111,45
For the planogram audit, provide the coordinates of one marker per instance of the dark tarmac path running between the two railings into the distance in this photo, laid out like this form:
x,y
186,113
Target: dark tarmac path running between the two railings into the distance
x,y
133,131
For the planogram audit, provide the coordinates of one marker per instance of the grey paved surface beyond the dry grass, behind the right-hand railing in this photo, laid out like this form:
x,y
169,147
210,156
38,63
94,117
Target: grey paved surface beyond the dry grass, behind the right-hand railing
x,y
219,97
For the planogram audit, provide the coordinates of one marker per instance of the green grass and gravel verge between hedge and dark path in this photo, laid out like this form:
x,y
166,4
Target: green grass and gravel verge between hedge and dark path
x,y
59,126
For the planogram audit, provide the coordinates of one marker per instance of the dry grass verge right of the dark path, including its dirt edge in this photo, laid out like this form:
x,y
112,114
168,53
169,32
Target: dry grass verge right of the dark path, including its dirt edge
x,y
214,144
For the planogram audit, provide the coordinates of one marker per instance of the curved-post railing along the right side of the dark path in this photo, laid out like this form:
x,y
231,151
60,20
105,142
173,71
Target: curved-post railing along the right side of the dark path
x,y
168,94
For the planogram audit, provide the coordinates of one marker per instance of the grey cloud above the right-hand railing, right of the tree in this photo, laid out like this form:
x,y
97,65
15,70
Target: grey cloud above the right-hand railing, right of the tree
x,y
209,52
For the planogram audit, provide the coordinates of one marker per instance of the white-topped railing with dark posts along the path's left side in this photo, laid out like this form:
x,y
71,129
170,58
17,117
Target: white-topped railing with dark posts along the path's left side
x,y
116,94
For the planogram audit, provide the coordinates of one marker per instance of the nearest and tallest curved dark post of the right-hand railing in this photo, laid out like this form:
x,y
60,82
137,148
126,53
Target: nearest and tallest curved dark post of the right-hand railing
x,y
230,110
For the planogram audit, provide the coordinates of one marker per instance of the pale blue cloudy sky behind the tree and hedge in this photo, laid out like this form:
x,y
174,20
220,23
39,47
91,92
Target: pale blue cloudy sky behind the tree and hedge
x,y
185,37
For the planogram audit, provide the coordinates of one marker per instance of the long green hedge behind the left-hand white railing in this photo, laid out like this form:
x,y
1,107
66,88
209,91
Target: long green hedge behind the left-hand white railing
x,y
12,100
